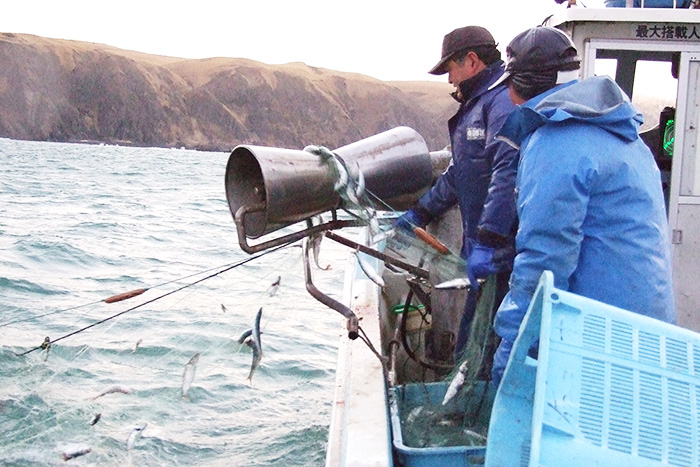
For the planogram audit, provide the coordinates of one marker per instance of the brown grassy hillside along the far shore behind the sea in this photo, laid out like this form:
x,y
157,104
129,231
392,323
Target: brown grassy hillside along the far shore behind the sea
x,y
58,90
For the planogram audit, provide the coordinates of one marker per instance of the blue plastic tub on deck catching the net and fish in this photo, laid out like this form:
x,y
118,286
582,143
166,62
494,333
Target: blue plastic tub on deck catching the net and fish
x,y
407,397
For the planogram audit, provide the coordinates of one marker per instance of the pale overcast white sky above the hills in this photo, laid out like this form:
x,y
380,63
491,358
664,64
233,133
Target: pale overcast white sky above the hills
x,y
385,39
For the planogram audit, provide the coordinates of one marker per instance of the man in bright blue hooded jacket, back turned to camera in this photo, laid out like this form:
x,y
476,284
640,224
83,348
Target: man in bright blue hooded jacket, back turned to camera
x,y
590,202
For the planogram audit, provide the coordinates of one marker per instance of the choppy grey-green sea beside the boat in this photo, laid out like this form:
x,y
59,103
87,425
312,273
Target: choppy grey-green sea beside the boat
x,y
80,223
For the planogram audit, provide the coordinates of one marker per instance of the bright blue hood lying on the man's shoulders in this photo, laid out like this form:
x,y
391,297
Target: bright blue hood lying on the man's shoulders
x,y
597,101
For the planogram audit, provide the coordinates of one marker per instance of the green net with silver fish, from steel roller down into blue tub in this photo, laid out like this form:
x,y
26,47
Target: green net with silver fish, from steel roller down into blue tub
x,y
458,416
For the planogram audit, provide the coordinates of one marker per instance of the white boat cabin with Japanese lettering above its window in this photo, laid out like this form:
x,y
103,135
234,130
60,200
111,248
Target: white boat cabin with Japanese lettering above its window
x,y
659,47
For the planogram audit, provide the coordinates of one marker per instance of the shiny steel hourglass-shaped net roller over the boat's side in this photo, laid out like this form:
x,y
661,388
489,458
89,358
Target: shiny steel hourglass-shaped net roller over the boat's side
x,y
274,187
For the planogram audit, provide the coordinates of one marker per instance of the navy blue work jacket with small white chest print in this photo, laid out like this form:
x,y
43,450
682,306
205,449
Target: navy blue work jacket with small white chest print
x,y
481,175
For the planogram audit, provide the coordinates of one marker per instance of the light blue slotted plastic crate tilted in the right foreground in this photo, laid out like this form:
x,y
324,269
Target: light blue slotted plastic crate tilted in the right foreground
x,y
609,388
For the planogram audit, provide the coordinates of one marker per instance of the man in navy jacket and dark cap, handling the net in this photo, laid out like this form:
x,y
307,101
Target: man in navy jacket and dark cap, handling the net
x,y
481,175
